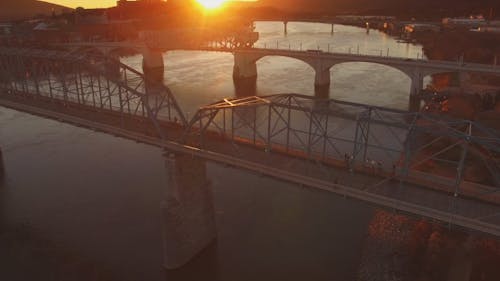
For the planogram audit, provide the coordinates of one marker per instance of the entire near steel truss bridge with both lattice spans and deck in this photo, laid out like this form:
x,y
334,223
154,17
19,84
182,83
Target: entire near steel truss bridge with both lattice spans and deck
x,y
426,165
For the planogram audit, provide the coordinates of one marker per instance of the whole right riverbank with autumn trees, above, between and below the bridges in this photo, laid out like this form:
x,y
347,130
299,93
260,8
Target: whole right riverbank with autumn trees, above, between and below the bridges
x,y
405,249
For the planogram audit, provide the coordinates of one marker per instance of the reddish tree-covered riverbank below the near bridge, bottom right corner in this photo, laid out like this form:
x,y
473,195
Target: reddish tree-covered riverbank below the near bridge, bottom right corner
x,y
398,247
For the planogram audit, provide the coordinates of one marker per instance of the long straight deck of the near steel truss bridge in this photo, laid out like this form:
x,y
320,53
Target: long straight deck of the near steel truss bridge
x,y
368,185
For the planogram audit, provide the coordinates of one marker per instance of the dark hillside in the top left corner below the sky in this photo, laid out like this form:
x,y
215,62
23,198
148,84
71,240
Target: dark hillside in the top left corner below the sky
x,y
19,9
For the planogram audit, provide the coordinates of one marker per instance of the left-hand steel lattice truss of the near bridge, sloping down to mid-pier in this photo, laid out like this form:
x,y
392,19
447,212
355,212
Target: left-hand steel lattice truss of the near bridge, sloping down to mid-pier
x,y
95,81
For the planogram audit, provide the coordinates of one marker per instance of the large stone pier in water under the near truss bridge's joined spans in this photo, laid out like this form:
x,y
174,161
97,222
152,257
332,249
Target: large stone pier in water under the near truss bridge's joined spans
x,y
188,213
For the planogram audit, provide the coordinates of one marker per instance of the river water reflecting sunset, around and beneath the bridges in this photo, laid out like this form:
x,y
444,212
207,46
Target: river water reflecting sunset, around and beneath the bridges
x,y
95,198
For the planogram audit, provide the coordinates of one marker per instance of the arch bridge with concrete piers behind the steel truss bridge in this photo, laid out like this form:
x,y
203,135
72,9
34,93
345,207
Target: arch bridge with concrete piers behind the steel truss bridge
x,y
246,57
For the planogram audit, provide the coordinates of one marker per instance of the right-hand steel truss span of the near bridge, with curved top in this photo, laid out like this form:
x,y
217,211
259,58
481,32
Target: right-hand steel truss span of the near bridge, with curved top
x,y
386,155
